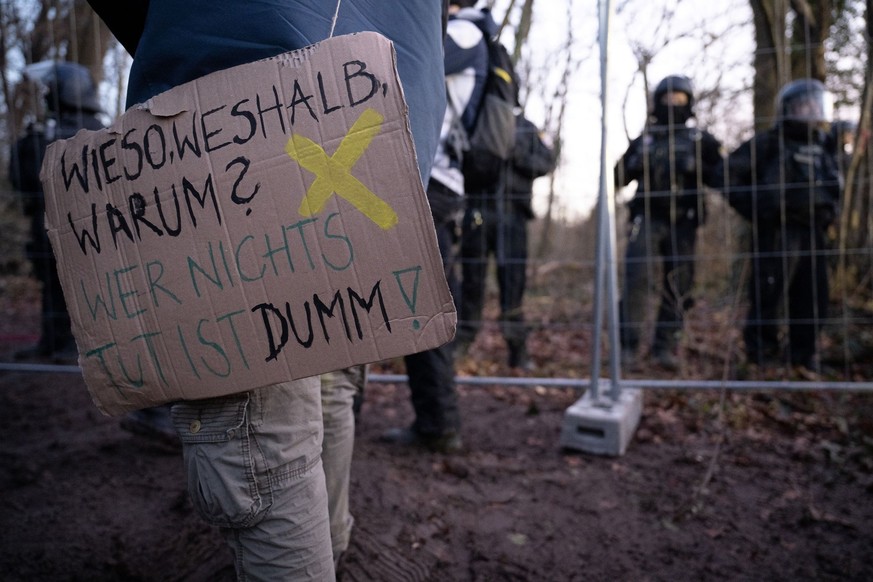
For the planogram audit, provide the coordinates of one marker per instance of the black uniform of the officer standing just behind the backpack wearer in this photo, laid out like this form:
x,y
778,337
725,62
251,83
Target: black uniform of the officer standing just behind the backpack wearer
x,y
495,224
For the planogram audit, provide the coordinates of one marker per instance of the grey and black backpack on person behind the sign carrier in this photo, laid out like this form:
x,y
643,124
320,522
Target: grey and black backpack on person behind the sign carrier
x,y
490,142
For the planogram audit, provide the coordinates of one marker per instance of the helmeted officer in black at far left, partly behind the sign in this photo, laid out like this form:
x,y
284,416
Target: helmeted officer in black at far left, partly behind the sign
x,y
71,104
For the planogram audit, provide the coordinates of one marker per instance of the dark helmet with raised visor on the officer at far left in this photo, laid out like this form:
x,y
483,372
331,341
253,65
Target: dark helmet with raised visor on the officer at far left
x,y
69,86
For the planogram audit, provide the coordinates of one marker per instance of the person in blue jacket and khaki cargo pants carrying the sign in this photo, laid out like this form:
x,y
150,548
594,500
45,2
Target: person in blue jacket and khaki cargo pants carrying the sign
x,y
253,459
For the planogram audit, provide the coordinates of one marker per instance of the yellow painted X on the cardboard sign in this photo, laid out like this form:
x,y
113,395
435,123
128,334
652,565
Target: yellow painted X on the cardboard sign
x,y
333,174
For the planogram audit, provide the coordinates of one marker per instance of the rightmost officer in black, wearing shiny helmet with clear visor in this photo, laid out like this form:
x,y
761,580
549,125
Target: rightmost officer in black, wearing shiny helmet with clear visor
x,y
786,182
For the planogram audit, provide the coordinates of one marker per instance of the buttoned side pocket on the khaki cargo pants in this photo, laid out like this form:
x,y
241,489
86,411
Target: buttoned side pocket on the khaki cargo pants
x,y
220,461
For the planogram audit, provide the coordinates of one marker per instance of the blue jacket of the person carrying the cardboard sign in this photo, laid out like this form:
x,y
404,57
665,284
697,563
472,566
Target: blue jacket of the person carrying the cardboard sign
x,y
175,42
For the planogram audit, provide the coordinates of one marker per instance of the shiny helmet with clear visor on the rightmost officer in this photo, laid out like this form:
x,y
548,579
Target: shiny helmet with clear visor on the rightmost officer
x,y
804,104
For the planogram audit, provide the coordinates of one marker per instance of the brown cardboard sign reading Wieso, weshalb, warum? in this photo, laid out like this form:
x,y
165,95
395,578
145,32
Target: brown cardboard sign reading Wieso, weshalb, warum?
x,y
257,225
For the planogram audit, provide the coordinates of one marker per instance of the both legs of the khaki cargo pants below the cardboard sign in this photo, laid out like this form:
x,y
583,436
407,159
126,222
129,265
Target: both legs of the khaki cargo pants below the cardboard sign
x,y
225,419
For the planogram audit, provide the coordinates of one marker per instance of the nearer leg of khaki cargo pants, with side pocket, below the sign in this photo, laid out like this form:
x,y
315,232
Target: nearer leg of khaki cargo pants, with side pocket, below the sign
x,y
254,469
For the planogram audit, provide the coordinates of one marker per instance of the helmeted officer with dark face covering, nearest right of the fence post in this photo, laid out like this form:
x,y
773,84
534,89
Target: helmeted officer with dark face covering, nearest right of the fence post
x,y
671,162
